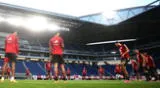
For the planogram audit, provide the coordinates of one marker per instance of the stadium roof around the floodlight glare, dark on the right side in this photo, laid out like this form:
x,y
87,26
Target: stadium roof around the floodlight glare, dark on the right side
x,y
83,32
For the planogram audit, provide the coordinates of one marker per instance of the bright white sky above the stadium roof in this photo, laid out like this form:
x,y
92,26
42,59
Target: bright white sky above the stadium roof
x,y
78,7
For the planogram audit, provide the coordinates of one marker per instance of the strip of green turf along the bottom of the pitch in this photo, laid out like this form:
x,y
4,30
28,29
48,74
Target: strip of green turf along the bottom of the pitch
x,y
78,84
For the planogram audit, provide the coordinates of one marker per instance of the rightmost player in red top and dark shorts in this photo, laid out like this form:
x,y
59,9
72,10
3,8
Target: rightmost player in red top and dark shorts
x,y
150,64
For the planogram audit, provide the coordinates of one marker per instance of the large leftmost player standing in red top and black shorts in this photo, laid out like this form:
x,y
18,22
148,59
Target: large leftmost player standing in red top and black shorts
x,y
11,52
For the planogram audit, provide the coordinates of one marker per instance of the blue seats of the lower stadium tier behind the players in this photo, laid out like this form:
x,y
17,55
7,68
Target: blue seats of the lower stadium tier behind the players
x,y
38,68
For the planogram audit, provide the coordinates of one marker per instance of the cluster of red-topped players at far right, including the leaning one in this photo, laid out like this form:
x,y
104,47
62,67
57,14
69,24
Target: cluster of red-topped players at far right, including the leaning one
x,y
144,64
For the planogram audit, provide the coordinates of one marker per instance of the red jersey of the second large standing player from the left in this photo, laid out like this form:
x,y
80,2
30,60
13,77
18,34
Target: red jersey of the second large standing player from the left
x,y
56,44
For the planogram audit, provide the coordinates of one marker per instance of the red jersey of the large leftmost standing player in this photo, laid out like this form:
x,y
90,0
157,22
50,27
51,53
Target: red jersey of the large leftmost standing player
x,y
11,44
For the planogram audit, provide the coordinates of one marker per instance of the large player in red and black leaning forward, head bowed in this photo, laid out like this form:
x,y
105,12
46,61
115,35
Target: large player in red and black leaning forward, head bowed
x,y
124,52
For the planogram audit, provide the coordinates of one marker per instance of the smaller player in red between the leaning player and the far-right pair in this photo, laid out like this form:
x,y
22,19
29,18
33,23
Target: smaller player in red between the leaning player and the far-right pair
x,y
135,68
